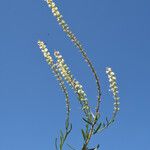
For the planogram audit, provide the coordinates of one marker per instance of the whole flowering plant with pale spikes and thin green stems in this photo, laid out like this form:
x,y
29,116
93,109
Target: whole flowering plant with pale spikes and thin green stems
x,y
63,73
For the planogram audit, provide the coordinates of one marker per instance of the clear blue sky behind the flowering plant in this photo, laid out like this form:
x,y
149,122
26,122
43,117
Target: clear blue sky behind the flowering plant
x,y
32,108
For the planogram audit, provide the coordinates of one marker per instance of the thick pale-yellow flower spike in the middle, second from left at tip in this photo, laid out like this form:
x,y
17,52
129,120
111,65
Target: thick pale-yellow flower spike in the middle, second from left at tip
x,y
65,72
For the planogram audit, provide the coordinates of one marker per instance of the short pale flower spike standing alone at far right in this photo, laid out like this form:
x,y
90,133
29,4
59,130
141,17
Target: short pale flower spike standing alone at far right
x,y
113,88
